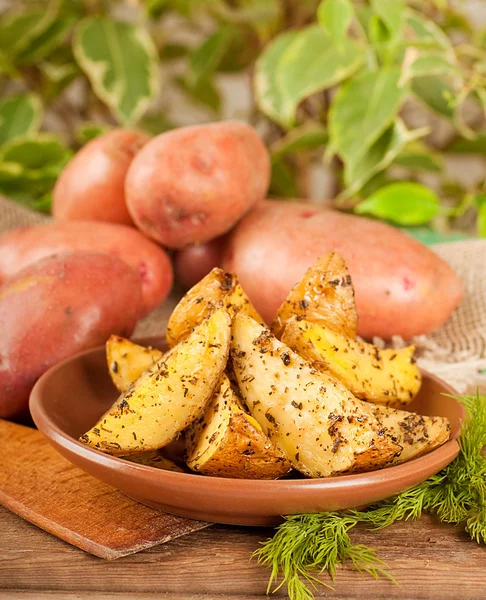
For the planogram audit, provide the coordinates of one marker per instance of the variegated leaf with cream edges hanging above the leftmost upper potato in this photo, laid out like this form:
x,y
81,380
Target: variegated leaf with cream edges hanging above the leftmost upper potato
x,y
121,64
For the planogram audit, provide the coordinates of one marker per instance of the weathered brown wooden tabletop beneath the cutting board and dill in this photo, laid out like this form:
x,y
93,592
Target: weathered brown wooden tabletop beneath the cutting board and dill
x,y
430,561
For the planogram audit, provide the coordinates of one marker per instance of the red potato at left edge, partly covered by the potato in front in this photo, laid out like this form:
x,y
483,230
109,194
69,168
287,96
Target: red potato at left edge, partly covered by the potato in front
x,y
21,247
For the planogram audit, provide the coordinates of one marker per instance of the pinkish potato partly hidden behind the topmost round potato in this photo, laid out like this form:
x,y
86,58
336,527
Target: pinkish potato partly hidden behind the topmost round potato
x,y
92,186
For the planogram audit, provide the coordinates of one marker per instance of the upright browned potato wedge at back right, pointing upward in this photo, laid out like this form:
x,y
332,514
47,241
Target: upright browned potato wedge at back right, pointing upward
x,y
325,295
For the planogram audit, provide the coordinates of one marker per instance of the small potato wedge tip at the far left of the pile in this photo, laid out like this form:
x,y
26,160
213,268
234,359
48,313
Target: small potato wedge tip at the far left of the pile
x,y
127,361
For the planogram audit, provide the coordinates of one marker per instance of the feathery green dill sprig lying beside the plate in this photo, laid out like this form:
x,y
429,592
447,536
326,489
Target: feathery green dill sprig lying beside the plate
x,y
306,546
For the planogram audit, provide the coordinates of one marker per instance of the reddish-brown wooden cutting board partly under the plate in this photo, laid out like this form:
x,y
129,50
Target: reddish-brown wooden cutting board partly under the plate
x,y
42,487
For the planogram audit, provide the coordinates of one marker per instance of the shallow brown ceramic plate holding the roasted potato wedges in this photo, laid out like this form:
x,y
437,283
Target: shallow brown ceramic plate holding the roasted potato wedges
x,y
70,398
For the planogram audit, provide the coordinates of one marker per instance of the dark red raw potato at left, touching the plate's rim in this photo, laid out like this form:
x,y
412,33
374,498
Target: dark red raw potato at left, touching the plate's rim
x,y
56,308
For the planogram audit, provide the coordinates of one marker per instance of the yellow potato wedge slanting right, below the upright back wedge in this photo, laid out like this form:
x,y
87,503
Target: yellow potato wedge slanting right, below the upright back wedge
x,y
388,377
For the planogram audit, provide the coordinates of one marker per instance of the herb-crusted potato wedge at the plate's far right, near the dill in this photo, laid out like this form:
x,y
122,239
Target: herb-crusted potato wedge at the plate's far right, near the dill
x,y
416,434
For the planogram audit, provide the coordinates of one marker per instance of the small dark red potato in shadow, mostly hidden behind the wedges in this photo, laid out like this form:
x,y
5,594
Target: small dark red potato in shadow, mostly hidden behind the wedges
x,y
193,263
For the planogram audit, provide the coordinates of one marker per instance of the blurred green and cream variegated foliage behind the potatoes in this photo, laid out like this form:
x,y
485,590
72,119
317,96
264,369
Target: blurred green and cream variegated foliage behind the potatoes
x,y
364,102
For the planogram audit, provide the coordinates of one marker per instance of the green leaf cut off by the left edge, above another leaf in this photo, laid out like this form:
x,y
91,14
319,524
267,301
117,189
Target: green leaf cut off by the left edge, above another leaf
x,y
19,115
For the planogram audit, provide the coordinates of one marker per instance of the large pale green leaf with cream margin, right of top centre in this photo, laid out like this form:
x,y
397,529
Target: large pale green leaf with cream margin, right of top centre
x,y
298,64
